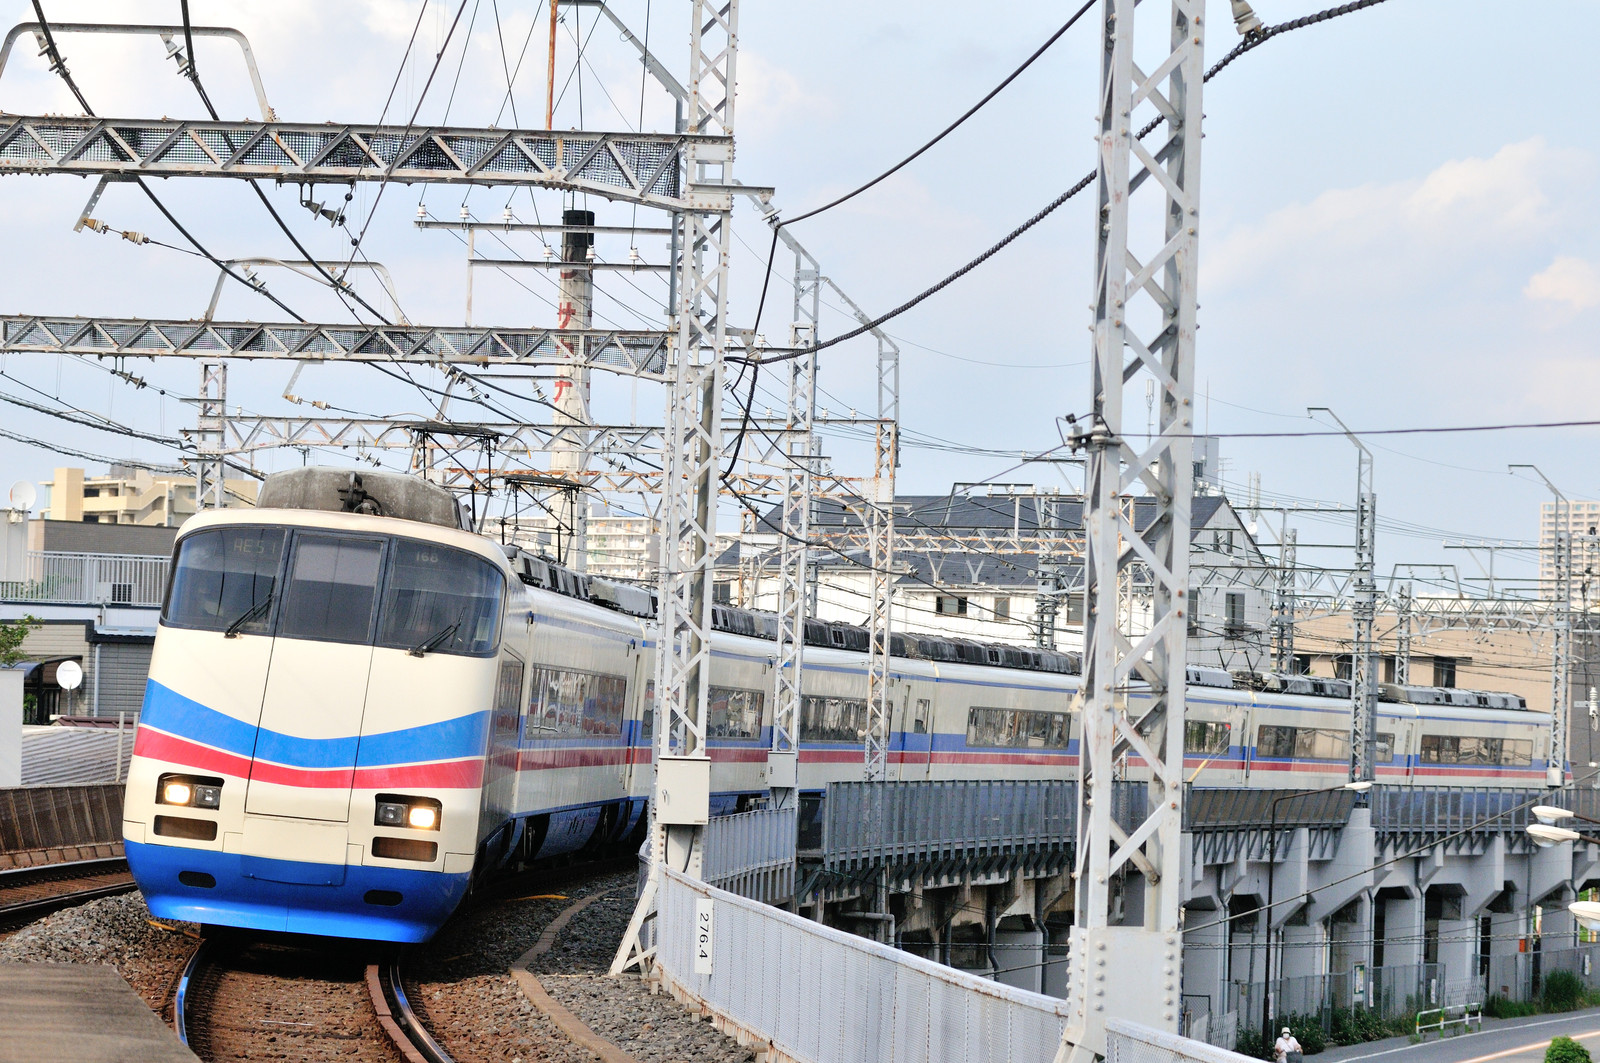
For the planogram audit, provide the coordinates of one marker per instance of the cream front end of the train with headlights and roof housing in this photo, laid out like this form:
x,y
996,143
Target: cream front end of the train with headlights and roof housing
x,y
311,756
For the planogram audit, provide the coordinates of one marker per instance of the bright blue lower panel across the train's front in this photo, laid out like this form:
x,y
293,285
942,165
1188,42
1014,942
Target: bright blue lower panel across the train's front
x,y
295,897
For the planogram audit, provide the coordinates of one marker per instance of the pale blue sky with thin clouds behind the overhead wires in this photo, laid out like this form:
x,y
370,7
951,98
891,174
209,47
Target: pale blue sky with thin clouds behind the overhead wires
x,y
1398,223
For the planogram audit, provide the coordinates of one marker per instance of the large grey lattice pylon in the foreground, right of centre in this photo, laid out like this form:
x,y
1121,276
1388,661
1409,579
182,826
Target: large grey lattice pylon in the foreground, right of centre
x,y
1145,326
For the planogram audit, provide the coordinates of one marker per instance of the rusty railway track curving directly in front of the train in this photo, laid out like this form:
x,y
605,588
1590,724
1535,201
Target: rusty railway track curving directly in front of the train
x,y
281,1001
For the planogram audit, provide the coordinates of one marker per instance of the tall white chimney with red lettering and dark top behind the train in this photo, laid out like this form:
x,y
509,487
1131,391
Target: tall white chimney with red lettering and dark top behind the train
x,y
570,460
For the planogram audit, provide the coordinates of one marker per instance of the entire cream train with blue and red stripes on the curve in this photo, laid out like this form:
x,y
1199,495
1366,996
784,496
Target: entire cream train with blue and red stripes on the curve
x,y
356,707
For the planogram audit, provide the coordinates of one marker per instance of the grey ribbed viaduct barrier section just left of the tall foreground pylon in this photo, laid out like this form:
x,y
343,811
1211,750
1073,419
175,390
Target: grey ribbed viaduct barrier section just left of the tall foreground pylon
x,y
873,824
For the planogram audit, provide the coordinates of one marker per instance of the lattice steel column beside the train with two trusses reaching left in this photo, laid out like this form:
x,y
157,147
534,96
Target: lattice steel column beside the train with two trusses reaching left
x,y
686,172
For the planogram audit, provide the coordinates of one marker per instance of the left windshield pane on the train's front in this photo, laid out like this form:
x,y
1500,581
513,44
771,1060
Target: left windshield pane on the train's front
x,y
225,580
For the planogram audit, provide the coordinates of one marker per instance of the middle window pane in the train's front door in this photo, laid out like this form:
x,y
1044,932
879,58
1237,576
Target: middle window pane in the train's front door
x,y
332,590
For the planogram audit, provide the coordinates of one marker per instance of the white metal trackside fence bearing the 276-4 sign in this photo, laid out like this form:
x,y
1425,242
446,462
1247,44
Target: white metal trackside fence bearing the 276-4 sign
x,y
815,995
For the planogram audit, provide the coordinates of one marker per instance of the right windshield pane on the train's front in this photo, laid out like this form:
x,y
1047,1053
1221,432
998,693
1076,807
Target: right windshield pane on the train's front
x,y
439,601
